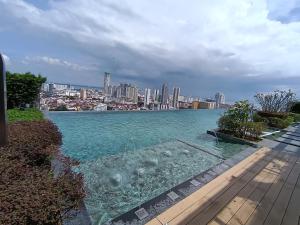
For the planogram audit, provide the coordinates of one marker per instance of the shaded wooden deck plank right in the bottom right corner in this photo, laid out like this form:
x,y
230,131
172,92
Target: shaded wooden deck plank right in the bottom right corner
x,y
292,213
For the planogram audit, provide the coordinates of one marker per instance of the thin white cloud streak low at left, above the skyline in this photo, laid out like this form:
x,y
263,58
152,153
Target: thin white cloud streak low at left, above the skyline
x,y
57,62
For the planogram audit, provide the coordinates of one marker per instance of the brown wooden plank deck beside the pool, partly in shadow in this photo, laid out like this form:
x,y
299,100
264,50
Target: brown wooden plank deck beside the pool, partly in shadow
x,y
264,188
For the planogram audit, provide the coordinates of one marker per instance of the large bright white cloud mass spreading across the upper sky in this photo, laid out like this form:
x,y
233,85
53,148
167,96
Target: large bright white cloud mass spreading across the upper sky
x,y
175,30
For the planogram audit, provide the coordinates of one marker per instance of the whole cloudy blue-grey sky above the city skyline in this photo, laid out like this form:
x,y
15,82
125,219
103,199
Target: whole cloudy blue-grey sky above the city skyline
x,y
238,47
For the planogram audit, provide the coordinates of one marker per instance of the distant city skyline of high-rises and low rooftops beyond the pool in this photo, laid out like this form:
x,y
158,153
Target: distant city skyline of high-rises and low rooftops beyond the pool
x,y
121,97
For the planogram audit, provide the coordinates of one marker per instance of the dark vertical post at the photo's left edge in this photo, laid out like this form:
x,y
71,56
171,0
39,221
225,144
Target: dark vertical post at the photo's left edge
x,y
3,103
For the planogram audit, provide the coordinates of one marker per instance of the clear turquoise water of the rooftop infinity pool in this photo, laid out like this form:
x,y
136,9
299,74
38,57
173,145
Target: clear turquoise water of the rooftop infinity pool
x,y
128,158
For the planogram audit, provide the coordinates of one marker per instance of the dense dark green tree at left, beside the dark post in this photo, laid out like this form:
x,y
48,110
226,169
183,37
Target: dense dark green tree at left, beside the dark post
x,y
22,88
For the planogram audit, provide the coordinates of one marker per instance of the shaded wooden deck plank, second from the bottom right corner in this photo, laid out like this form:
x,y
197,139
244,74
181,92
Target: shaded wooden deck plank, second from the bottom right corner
x,y
277,212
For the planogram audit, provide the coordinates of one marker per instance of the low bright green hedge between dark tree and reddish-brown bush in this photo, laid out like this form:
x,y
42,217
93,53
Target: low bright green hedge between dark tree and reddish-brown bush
x,y
31,114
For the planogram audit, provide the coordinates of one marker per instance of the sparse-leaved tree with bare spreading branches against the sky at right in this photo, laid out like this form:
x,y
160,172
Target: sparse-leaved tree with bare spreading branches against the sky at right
x,y
278,101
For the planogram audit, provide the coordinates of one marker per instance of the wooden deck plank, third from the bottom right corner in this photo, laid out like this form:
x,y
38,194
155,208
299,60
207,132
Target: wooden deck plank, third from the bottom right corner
x,y
262,210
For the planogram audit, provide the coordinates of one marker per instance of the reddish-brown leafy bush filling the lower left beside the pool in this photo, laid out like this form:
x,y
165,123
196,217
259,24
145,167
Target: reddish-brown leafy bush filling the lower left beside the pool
x,y
30,193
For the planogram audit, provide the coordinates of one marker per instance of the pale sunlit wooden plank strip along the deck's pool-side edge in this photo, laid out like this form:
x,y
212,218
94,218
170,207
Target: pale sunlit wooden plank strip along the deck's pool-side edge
x,y
215,185
